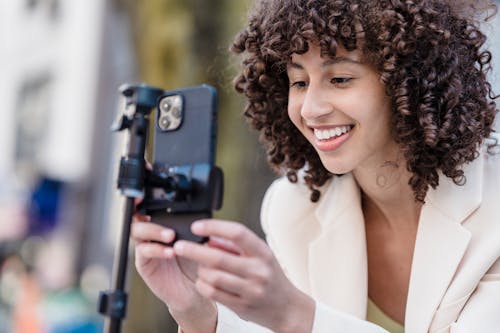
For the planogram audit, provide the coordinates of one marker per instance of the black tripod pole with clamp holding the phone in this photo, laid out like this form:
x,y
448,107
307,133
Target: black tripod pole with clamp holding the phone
x,y
166,189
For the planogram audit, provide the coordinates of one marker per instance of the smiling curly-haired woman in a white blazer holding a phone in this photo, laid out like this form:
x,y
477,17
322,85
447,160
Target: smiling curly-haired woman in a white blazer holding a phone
x,y
380,115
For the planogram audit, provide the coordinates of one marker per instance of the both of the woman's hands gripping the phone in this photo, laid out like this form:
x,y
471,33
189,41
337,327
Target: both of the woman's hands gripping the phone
x,y
246,277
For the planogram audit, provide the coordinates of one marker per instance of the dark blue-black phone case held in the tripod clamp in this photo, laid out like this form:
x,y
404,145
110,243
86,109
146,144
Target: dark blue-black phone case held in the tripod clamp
x,y
193,143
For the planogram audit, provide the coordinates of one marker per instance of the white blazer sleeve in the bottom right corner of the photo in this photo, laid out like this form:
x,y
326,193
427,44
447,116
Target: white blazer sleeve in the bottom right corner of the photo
x,y
481,313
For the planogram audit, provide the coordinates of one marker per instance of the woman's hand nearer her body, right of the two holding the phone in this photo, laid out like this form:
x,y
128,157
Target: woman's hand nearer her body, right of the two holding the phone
x,y
237,269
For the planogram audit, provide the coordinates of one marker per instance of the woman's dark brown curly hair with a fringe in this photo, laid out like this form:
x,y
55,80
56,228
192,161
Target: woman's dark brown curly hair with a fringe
x,y
431,60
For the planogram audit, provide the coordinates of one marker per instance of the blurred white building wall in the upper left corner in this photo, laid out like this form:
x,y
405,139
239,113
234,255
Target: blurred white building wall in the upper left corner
x,y
49,59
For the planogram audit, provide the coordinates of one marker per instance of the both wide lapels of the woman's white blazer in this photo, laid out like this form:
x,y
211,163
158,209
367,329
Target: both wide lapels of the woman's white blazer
x,y
337,257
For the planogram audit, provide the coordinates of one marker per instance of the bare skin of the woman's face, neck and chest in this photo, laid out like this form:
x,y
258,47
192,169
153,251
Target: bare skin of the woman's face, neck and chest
x,y
325,94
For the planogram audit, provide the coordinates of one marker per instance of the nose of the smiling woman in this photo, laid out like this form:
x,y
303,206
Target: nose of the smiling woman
x,y
316,103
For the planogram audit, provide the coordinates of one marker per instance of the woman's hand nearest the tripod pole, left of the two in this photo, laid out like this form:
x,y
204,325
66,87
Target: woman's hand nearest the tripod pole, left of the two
x,y
171,278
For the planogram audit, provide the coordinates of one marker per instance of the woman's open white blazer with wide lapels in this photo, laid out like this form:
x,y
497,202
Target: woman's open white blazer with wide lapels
x,y
455,275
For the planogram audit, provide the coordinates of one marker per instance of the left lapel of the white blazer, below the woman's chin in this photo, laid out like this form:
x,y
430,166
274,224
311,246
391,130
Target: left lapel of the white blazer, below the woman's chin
x,y
337,257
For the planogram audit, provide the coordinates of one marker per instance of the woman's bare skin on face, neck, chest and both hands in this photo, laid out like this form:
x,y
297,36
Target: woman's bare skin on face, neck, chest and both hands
x,y
246,277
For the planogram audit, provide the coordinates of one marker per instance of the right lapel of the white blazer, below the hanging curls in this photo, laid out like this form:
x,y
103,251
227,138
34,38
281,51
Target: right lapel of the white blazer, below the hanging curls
x,y
440,245
